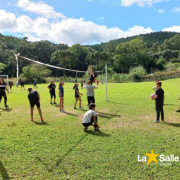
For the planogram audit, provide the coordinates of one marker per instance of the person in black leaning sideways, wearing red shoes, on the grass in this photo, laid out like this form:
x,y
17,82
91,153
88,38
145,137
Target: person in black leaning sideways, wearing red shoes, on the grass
x,y
34,99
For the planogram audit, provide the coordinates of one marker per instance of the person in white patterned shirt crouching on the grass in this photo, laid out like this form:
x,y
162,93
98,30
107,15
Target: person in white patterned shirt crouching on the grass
x,y
90,117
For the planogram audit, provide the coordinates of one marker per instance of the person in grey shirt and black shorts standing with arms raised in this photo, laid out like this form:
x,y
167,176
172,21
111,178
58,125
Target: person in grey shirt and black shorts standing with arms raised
x,y
90,92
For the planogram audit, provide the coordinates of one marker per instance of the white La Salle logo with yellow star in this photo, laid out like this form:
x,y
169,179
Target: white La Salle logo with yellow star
x,y
153,157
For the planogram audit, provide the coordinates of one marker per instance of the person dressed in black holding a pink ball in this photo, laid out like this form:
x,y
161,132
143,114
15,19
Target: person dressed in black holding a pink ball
x,y
159,98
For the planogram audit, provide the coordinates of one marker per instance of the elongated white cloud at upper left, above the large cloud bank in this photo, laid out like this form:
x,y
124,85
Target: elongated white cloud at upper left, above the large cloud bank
x,y
39,8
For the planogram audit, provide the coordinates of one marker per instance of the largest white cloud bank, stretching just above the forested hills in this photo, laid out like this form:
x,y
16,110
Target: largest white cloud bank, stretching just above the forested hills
x,y
69,31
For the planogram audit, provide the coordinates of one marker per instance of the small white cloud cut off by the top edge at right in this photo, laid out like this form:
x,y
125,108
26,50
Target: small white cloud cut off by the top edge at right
x,y
139,2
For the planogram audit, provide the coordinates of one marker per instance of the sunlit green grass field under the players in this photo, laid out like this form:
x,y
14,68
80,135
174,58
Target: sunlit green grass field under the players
x,y
60,149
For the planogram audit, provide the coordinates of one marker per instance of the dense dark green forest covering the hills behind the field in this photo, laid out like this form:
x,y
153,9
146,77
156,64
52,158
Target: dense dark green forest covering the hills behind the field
x,y
152,51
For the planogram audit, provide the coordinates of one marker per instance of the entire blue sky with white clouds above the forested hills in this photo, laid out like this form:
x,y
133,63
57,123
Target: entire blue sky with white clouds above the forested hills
x,y
87,21
